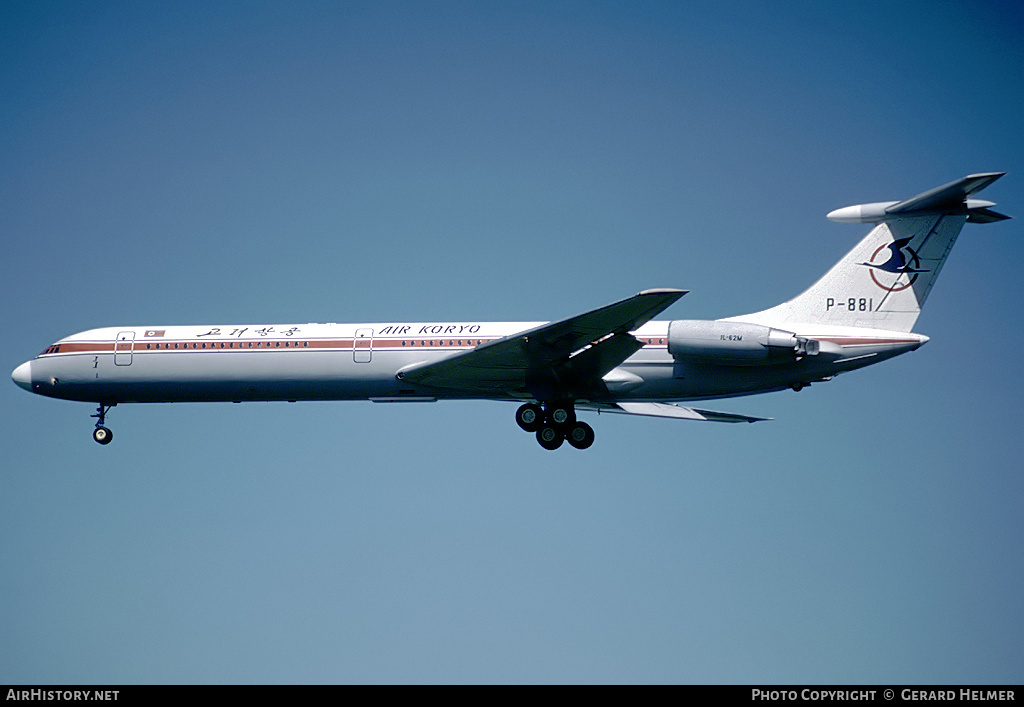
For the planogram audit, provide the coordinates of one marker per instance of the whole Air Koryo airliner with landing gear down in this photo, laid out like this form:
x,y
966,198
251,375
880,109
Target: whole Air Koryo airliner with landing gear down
x,y
614,359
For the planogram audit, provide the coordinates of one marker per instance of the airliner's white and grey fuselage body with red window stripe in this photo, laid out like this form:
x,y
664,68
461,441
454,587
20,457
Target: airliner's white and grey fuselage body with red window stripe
x,y
362,362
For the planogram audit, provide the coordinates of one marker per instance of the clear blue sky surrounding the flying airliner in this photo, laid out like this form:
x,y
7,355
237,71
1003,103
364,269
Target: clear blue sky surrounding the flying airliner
x,y
417,161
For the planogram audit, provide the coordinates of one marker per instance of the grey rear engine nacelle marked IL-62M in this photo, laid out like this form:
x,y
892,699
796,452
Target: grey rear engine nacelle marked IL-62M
x,y
737,344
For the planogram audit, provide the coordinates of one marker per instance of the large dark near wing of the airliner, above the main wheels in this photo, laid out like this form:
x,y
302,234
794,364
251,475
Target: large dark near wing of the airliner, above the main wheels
x,y
572,353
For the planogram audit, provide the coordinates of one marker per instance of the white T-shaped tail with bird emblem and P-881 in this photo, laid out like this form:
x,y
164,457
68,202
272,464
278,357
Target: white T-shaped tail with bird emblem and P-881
x,y
883,283
